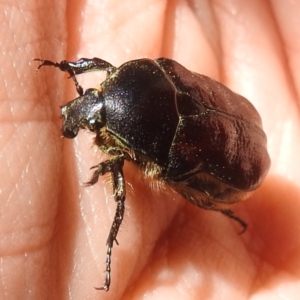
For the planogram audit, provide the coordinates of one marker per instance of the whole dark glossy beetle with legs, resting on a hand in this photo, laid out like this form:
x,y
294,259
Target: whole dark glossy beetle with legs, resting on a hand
x,y
182,128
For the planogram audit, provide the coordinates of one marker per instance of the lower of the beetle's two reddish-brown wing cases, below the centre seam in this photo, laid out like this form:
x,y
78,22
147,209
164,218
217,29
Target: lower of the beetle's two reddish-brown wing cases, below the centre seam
x,y
225,148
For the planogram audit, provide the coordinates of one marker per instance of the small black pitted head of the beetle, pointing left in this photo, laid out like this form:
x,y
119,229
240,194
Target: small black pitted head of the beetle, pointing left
x,y
86,111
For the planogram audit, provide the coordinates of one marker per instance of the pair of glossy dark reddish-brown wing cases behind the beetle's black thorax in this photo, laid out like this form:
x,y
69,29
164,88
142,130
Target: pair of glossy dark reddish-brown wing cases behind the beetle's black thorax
x,y
219,132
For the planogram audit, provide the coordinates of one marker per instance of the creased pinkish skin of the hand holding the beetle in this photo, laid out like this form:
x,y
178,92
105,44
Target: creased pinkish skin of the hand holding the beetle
x,y
53,230
